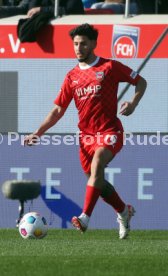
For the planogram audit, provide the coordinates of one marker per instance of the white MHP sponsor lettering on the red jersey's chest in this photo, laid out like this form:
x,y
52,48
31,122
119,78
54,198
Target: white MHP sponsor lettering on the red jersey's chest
x,y
89,91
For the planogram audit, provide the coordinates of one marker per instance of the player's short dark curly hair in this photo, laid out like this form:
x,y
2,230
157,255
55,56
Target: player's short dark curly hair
x,y
85,30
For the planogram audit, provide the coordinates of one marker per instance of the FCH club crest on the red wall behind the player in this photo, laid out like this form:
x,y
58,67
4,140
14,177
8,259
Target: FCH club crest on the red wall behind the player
x,y
125,41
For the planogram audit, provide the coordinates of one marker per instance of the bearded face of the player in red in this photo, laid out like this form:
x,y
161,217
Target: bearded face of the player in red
x,y
84,48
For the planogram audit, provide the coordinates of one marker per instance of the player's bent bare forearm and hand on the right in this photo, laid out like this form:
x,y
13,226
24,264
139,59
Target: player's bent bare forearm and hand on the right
x,y
128,108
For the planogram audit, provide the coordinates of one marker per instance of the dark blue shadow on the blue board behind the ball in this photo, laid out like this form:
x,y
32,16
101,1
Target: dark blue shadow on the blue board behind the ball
x,y
65,208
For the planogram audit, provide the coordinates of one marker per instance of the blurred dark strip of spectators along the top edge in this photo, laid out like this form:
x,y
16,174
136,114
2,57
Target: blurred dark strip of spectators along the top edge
x,y
66,7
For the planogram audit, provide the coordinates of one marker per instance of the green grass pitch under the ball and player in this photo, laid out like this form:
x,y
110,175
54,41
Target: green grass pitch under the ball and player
x,y
97,252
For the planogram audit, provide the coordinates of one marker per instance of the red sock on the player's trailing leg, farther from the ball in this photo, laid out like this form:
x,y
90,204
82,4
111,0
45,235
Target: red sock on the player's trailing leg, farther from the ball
x,y
115,201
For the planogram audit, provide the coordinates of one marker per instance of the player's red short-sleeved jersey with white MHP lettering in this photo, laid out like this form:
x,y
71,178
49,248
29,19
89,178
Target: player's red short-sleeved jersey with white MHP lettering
x,y
94,91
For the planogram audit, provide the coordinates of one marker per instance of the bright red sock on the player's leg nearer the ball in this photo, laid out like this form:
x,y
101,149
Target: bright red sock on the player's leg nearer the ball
x,y
91,197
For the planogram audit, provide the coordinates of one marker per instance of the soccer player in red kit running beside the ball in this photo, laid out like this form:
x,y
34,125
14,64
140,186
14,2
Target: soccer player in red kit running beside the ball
x,y
93,85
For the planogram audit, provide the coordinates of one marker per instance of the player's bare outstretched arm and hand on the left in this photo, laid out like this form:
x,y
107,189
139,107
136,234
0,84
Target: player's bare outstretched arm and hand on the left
x,y
51,119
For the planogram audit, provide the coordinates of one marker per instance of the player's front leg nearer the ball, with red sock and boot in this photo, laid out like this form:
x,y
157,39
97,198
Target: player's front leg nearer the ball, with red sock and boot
x,y
101,158
